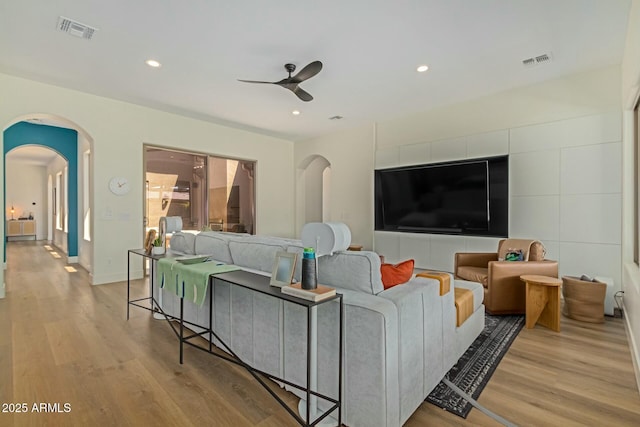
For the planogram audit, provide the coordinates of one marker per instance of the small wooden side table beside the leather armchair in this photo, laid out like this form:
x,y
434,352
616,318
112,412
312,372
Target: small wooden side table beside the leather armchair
x,y
543,301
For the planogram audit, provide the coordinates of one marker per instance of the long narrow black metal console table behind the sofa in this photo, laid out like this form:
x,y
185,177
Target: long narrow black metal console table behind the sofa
x,y
260,284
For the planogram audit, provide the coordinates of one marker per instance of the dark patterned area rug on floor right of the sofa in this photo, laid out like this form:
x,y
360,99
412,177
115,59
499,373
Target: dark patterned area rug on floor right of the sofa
x,y
477,364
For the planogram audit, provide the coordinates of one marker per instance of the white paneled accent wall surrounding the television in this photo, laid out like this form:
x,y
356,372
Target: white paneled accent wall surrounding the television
x,y
565,189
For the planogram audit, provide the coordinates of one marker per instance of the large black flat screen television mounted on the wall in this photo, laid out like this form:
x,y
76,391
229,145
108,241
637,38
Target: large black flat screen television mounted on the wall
x,y
467,197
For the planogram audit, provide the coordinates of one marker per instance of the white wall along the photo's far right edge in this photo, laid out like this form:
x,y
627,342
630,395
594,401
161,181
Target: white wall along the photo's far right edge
x,y
630,89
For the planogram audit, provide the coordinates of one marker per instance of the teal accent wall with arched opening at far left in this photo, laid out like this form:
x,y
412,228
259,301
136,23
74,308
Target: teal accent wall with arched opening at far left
x,y
64,142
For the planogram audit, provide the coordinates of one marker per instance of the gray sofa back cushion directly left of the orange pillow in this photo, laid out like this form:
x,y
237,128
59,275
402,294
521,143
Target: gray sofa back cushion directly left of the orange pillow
x,y
354,270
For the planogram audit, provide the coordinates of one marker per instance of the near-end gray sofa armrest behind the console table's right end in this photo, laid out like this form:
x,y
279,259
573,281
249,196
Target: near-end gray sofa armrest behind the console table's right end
x,y
370,384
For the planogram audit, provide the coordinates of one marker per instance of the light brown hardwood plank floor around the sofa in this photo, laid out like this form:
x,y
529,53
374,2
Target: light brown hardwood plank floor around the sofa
x,y
65,341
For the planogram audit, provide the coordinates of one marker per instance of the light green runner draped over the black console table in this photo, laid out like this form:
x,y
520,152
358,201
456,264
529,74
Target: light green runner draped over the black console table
x,y
189,281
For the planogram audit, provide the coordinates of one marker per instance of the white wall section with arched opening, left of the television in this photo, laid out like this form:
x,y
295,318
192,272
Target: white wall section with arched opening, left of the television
x,y
350,154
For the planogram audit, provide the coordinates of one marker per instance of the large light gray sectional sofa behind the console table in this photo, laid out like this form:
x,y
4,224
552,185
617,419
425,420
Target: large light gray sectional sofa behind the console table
x,y
398,343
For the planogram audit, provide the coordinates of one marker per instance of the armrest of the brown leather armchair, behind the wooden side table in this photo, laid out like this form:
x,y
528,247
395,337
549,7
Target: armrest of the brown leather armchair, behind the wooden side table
x,y
505,291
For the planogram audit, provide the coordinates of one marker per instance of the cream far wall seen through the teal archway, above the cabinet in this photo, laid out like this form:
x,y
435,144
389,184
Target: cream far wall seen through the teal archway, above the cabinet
x,y
27,184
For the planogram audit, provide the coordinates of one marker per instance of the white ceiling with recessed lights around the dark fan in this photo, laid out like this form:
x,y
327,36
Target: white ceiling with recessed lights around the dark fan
x,y
370,50
